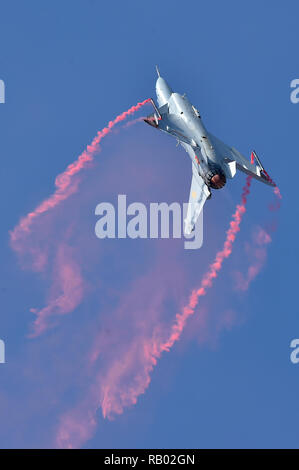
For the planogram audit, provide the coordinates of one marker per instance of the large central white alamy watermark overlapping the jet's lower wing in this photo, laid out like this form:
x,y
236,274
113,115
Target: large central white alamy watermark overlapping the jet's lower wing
x,y
161,220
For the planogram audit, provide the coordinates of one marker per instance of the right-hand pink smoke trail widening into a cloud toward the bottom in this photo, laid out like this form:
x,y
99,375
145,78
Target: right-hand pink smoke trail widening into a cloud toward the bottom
x,y
111,390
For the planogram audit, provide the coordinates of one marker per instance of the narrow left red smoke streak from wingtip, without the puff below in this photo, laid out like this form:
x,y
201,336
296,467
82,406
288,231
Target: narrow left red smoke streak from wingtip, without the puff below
x,y
63,181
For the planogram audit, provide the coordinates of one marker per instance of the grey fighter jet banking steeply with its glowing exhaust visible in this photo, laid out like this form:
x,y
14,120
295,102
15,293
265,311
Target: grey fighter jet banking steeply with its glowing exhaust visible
x,y
213,162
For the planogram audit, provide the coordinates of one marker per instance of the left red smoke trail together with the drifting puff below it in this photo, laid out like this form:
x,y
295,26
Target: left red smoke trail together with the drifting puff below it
x,y
67,288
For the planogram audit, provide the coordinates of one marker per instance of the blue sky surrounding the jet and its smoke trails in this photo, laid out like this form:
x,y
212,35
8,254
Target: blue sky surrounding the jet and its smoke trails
x,y
70,67
